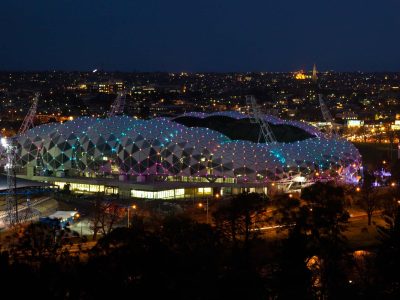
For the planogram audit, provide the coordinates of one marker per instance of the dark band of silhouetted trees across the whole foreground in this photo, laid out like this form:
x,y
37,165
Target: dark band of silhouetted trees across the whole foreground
x,y
176,257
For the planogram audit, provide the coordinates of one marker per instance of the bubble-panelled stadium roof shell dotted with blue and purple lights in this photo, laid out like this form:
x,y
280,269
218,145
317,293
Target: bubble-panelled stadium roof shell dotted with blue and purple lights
x,y
162,146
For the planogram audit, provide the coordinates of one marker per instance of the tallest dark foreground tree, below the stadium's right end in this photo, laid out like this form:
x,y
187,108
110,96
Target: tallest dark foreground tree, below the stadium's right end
x,y
316,224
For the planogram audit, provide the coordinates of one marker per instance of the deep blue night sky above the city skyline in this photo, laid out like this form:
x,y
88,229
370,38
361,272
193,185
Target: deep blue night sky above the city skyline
x,y
201,35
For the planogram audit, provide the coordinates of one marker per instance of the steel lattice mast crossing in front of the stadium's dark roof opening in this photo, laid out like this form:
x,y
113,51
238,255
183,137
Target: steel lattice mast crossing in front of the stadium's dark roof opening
x,y
256,117
